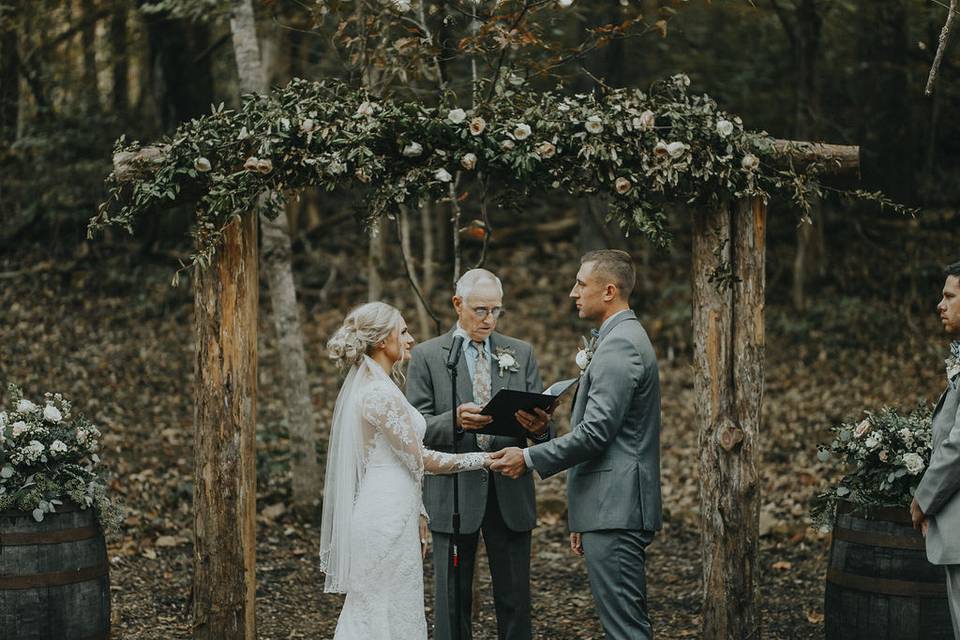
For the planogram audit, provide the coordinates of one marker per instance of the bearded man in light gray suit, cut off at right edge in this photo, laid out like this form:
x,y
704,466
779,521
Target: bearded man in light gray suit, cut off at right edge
x,y
936,503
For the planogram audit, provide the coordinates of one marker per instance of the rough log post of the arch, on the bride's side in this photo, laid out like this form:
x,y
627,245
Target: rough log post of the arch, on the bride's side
x,y
224,496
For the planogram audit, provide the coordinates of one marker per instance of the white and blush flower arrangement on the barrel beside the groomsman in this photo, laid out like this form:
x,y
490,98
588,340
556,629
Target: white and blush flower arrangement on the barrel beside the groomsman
x,y
883,456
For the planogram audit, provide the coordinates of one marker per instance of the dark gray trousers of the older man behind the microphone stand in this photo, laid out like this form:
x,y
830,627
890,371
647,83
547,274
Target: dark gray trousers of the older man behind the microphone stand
x,y
509,554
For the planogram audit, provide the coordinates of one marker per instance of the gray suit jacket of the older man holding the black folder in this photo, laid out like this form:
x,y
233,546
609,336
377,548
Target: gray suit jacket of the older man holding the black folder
x,y
428,389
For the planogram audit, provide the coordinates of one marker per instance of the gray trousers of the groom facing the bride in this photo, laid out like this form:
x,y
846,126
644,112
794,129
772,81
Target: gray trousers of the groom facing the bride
x,y
616,566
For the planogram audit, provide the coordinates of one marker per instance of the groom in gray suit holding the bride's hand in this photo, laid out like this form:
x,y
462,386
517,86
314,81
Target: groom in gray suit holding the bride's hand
x,y
612,451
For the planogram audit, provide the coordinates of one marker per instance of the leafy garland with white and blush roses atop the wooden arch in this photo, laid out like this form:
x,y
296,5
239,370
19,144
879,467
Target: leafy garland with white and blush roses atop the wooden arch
x,y
641,151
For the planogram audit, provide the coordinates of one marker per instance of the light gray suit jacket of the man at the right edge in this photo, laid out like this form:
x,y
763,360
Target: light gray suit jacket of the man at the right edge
x,y
939,491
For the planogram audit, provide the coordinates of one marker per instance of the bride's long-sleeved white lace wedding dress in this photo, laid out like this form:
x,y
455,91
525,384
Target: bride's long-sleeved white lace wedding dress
x,y
384,581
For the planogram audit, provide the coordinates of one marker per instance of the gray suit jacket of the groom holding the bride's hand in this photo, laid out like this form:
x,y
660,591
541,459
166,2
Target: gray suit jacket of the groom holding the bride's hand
x,y
613,449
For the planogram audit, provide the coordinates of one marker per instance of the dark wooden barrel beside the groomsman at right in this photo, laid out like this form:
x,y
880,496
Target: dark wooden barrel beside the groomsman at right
x,y
880,585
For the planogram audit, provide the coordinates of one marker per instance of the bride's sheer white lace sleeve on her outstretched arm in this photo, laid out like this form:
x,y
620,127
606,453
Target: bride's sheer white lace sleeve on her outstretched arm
x,y
389,413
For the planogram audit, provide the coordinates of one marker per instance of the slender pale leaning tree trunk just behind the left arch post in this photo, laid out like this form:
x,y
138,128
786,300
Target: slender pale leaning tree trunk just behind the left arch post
x,y
277,259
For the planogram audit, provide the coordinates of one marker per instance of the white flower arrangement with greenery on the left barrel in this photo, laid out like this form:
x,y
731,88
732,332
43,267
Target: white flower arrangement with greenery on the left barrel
x,y
48,456
